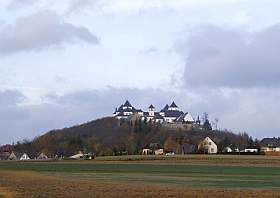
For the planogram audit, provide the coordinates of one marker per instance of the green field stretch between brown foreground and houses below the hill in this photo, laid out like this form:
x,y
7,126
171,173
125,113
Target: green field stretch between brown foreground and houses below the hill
x,y
192,172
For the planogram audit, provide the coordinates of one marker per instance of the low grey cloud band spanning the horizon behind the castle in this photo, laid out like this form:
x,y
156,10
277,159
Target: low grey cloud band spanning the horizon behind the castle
x,y
254,111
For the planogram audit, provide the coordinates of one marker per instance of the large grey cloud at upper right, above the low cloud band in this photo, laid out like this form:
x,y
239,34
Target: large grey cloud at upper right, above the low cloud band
x,y
216,57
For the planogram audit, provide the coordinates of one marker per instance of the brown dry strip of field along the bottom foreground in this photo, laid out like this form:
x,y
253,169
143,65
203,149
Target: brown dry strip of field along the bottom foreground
x,y
31,184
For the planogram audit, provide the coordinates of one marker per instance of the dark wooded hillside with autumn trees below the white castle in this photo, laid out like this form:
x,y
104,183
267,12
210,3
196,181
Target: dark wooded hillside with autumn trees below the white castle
x,y
109,136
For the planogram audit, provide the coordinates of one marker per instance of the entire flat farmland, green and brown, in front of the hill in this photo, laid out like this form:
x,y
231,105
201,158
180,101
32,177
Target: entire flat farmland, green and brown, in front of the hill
x,y
144,176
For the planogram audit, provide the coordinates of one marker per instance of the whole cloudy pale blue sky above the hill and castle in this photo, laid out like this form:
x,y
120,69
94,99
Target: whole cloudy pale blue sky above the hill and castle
x,y
71,61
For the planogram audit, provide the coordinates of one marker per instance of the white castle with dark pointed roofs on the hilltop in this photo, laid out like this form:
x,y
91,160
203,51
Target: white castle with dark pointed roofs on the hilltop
x,y
170,114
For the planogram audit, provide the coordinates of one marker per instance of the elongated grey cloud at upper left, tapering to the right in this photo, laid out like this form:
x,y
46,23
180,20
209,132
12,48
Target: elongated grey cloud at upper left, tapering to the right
x,y
41,30
